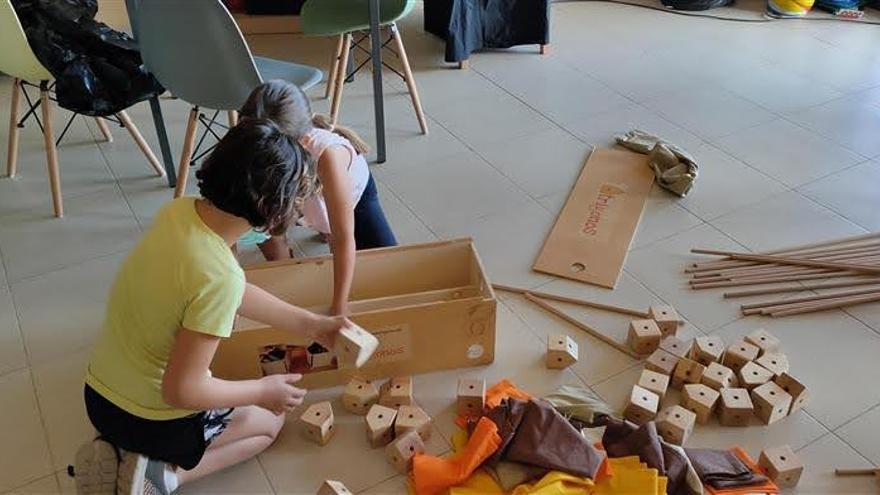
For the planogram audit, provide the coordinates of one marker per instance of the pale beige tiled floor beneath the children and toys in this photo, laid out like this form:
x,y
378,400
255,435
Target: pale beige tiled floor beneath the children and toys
x,y
784,119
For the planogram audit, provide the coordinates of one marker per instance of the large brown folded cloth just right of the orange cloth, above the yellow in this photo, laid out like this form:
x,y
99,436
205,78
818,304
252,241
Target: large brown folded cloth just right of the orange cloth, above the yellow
x,y
546,439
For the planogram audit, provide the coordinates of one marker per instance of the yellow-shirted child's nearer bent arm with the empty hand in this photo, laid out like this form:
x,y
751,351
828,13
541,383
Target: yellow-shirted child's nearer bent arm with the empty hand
x,y
187,384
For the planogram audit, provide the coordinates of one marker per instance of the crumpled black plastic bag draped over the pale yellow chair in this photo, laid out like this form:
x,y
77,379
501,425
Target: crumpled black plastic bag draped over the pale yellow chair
x,y
98,71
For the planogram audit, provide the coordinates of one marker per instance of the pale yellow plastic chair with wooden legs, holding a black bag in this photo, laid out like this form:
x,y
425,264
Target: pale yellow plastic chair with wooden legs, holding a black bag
x,y
18,60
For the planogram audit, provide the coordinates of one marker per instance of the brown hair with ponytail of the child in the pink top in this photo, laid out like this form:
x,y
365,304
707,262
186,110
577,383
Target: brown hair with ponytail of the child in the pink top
x,y
286,104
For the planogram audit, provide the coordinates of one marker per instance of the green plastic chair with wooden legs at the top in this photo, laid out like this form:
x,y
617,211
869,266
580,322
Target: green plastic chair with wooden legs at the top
x,y
343,19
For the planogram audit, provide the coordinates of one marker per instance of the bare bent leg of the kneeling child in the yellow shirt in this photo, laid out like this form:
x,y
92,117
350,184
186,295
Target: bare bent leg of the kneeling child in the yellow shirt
x,y
250,431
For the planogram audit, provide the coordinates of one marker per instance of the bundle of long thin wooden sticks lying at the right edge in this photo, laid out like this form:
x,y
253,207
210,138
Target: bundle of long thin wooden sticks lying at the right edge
x,y
846,263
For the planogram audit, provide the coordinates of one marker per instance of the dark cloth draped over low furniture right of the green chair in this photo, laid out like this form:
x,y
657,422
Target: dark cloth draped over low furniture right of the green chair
x,y
469,25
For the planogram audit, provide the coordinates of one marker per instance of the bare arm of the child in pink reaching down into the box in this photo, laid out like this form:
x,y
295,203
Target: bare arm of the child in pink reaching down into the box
x,y
336,188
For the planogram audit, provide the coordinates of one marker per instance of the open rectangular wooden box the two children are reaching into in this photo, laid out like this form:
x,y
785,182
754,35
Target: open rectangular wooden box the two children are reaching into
x,y
430,306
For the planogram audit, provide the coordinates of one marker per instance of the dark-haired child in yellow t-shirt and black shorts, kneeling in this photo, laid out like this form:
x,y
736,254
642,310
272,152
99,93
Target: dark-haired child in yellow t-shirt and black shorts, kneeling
x,y
162,419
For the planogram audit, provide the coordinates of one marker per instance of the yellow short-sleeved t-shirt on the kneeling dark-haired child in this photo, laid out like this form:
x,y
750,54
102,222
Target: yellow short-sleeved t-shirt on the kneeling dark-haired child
x,y
180,274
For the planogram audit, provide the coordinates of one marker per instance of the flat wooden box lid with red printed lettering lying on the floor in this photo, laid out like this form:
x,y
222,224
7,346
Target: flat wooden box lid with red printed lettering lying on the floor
x,y
596,226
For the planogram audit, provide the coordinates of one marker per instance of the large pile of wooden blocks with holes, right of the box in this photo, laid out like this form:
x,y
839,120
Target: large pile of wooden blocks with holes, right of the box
x,y
746,378
